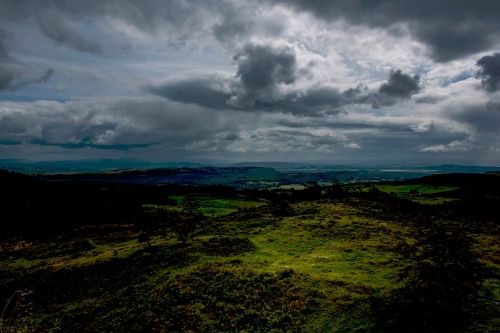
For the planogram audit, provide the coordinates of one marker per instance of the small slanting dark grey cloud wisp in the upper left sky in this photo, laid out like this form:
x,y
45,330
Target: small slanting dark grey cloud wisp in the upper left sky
x,y
63,33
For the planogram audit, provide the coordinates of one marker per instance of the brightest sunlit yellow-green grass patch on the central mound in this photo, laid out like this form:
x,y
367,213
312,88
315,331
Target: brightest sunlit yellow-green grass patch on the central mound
x,y
290,246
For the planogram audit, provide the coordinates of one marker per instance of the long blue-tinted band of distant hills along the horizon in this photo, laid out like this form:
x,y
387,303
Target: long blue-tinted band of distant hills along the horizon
x,y
240,175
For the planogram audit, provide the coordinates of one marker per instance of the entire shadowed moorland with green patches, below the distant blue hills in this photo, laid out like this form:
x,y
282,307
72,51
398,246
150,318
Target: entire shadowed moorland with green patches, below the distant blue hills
x,y
420,255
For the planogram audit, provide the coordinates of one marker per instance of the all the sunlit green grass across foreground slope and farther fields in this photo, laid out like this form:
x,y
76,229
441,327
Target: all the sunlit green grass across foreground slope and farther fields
x,y
333,249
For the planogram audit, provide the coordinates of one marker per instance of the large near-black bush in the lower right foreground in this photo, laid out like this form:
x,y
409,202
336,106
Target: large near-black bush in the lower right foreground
x,y
440,289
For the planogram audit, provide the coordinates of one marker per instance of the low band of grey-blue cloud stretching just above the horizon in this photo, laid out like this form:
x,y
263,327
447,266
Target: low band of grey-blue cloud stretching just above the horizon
x,y
157,127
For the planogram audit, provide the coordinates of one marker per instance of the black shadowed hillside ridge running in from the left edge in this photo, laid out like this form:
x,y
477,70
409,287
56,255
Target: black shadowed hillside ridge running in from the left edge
x,y
34,207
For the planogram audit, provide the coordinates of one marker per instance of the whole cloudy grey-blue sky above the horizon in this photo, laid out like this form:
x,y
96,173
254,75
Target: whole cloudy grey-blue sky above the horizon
x,y
339,81
